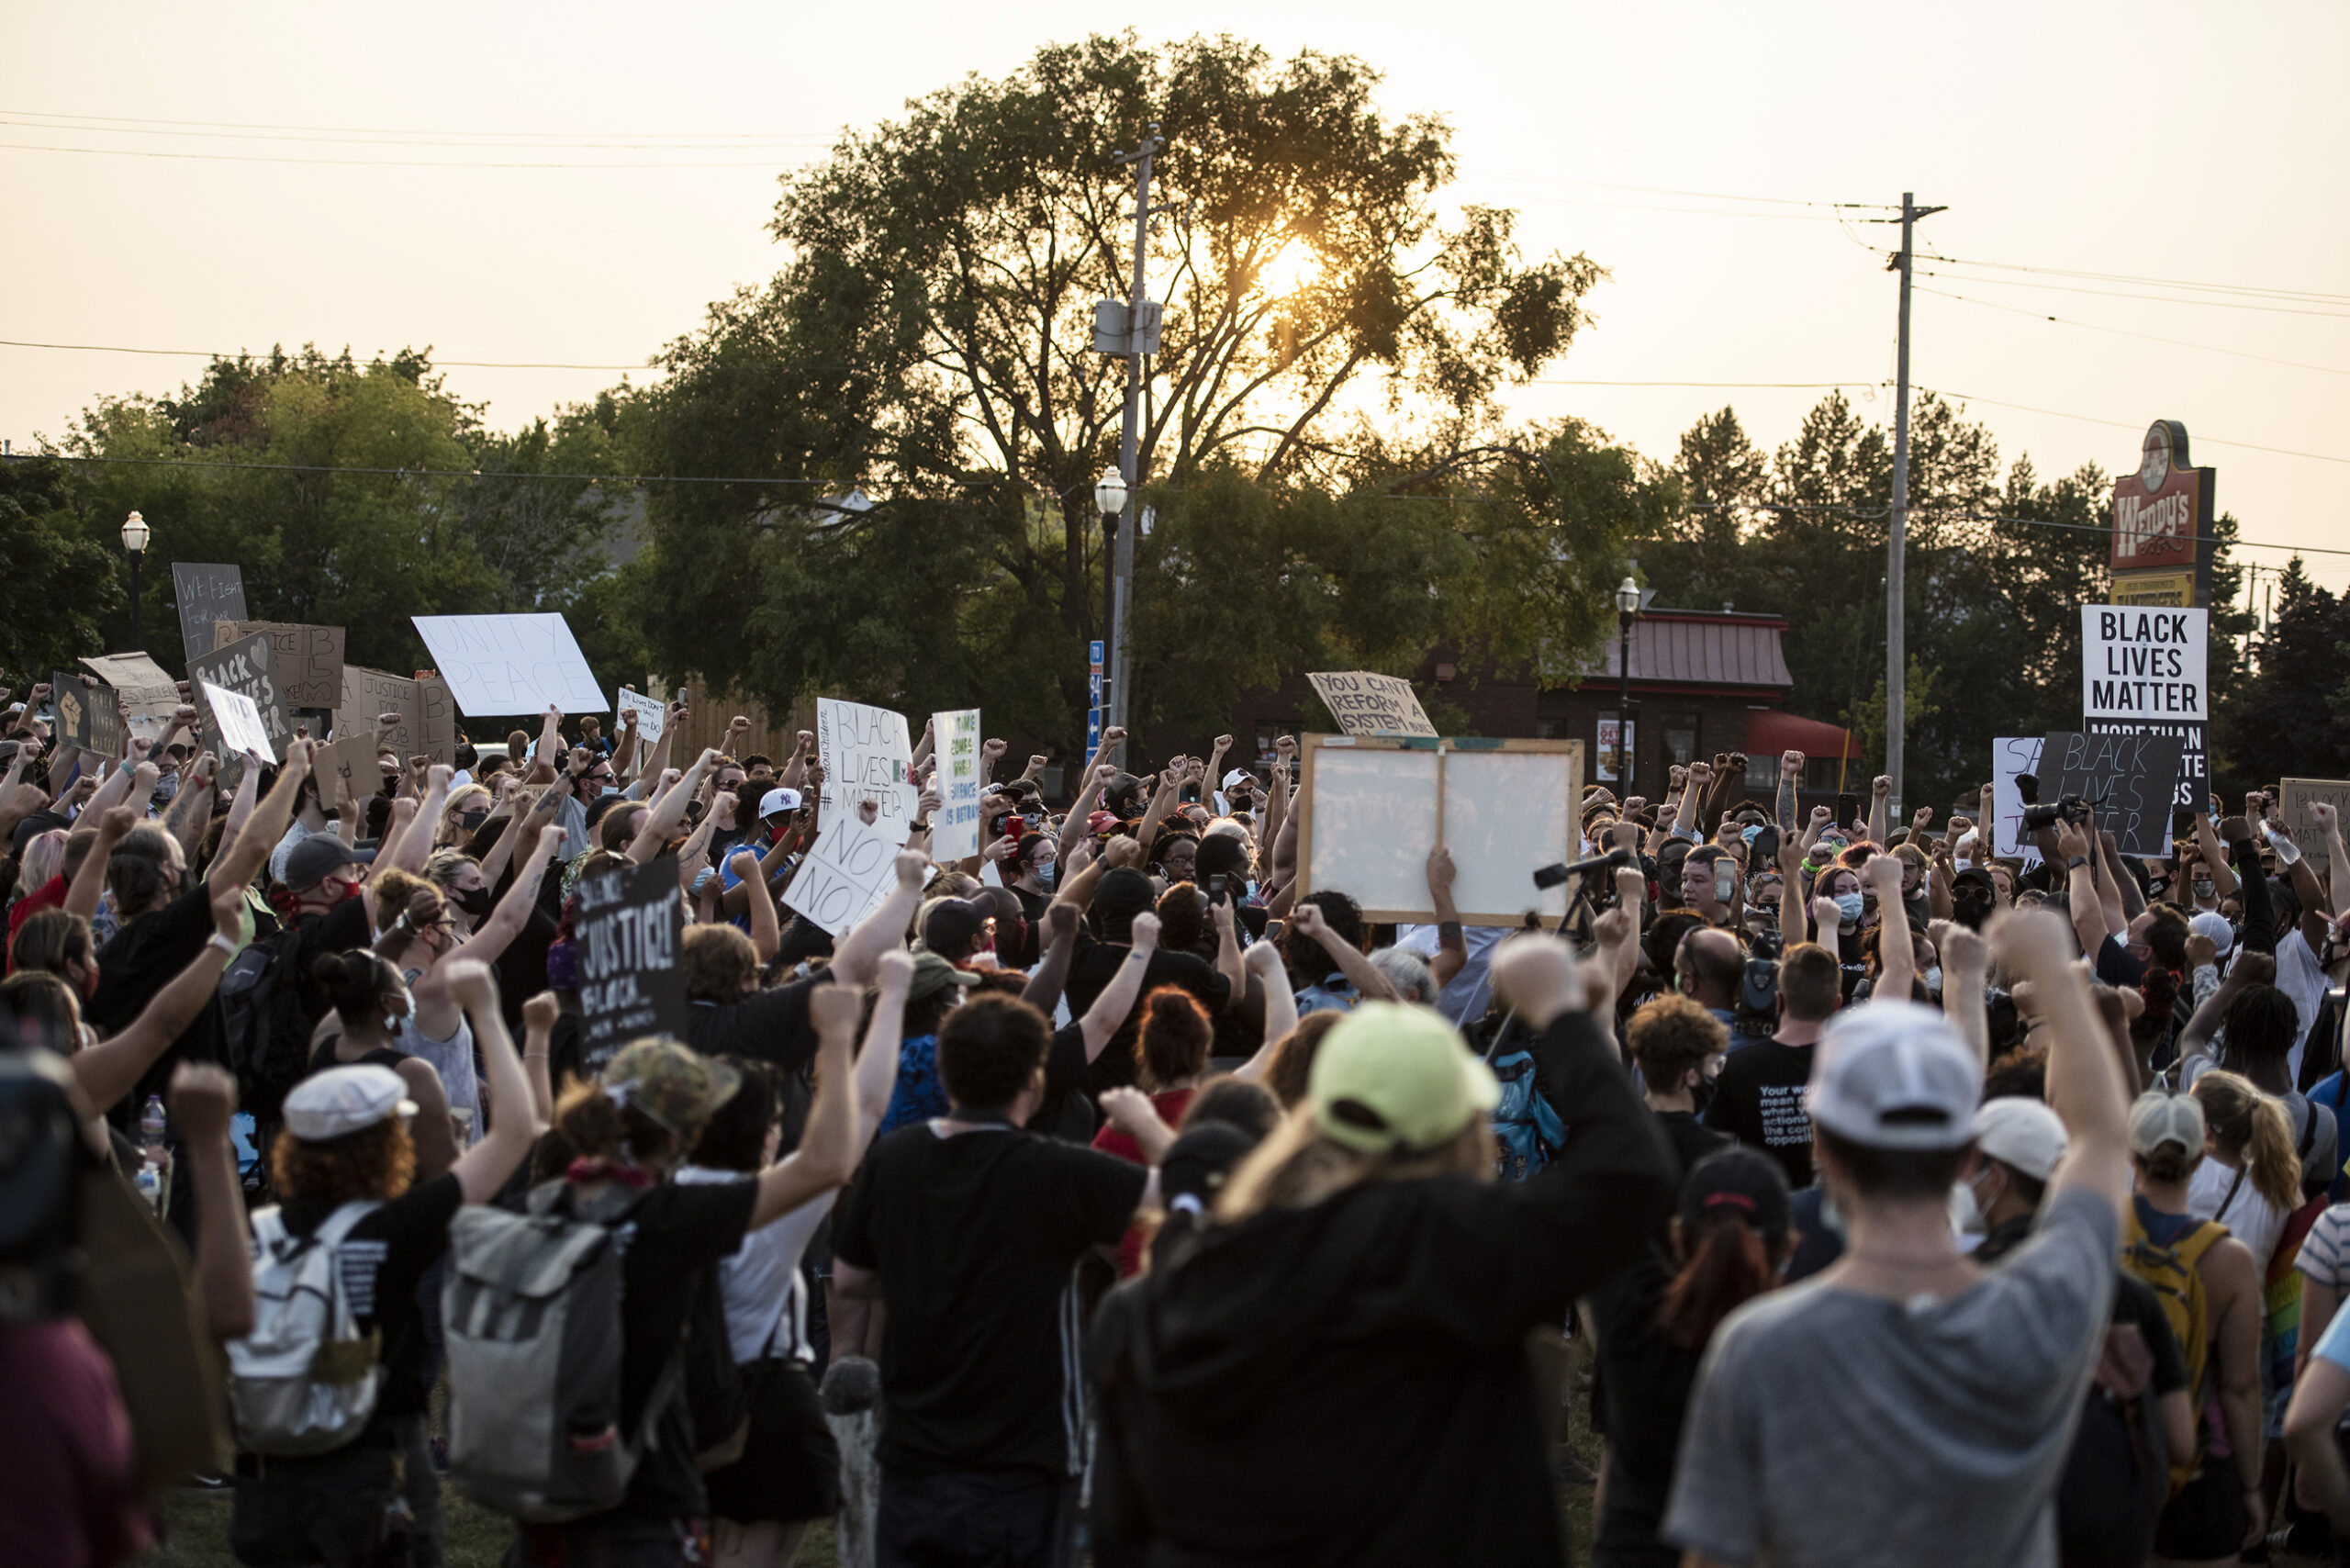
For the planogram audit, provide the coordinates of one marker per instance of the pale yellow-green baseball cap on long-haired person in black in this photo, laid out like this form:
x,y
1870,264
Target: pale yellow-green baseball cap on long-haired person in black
x,y
1397,1078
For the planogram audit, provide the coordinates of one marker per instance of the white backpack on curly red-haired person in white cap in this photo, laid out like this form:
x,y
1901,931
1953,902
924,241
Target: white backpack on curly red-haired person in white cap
x,y
304,1381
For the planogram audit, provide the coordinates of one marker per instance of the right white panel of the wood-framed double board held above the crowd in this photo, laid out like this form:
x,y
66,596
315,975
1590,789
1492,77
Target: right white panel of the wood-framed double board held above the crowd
x,y
1508,815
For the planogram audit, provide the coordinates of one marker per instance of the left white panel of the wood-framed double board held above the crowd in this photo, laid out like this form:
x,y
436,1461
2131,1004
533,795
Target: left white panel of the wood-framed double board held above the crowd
x,y
1376,824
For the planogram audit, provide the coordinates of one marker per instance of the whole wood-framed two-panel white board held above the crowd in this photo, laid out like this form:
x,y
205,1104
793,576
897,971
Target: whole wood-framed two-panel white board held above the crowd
x,y
1371,810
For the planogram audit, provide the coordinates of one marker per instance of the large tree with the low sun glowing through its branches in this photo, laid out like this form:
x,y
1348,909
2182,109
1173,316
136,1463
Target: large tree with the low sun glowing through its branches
x,y
932,342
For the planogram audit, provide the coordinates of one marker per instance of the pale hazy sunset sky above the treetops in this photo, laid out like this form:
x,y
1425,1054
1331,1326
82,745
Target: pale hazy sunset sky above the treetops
x,y
2154,175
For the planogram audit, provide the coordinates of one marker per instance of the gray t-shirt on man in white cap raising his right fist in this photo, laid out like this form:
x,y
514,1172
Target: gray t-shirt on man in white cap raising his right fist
x,y
1841,1428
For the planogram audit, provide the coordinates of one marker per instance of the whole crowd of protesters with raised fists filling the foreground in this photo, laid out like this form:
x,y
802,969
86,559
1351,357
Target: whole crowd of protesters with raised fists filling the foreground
x,y
1881,1198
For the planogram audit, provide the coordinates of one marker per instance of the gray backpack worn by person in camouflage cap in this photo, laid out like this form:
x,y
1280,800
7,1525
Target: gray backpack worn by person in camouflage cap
x,y
532,1322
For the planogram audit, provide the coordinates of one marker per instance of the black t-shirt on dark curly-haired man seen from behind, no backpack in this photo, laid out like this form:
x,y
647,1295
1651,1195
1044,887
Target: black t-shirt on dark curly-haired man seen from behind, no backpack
x,y
976,1238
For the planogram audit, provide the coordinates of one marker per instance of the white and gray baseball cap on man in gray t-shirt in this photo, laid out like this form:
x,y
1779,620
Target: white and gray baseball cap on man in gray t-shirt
x,y
1895,1076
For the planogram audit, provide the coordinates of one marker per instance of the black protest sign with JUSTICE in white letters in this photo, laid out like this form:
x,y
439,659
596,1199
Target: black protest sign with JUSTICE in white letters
x,y
629,937
